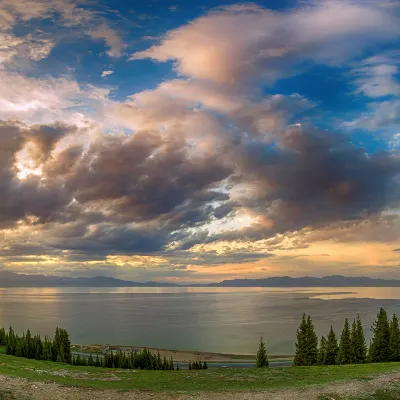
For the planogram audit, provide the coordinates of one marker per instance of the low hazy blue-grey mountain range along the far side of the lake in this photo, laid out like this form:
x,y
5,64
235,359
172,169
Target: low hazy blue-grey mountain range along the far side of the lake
x,y
10,279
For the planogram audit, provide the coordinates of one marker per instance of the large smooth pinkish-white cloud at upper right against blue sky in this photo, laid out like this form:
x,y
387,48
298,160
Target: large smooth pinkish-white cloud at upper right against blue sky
x,y
247,42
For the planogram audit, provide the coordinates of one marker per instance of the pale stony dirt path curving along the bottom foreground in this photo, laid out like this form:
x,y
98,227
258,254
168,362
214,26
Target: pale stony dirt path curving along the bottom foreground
x,y
23,388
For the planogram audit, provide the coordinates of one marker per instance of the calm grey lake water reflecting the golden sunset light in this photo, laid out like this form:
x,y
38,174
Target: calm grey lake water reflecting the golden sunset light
x,y
205,319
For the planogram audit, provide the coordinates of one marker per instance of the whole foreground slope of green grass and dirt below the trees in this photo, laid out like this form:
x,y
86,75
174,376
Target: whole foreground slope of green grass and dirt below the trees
x,y
29,379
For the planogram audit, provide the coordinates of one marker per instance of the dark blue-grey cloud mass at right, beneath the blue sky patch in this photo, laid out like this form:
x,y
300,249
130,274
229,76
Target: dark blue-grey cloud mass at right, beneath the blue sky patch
x,y
315,178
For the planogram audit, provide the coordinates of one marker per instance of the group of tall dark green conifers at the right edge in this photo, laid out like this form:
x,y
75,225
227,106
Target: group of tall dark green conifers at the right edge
x,y
351,348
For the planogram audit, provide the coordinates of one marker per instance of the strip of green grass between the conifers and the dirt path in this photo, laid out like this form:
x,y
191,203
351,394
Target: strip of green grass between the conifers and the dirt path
x,y
188,381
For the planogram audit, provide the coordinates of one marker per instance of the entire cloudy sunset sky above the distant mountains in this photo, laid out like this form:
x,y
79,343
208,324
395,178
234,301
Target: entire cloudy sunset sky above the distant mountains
x,y
180,141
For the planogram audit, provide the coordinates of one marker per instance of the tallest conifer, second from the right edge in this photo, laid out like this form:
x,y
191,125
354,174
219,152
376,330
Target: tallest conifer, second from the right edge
x,y
379,348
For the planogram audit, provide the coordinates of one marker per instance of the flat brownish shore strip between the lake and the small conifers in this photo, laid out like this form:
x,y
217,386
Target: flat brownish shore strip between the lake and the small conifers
x,y
178,355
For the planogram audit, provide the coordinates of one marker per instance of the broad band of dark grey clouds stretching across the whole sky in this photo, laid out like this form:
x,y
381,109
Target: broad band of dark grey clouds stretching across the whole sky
x,y
139,194
